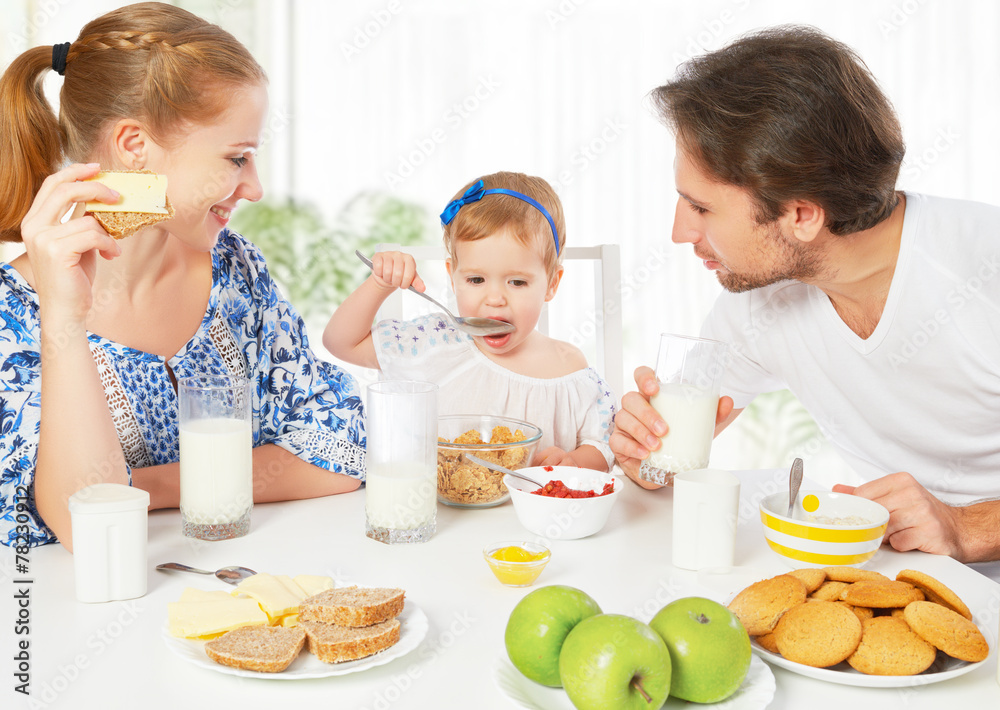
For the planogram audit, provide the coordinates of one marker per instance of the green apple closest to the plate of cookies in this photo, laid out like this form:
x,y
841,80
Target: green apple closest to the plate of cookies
x,y
709,649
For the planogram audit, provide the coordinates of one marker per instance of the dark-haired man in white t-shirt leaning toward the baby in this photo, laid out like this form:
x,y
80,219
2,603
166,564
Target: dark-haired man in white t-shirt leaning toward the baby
x,y
878,309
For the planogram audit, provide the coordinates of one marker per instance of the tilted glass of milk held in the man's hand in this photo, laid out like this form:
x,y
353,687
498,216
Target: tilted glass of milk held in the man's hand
x,y
689,372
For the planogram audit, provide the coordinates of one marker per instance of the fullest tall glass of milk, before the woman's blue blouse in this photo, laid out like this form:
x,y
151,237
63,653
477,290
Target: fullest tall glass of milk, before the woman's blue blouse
x,y
216,441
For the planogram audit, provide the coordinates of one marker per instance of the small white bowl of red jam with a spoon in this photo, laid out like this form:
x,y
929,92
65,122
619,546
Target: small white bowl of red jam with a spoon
x,y
574,503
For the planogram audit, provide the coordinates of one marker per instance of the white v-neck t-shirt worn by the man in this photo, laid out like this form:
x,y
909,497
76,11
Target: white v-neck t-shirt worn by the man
x,y
922,393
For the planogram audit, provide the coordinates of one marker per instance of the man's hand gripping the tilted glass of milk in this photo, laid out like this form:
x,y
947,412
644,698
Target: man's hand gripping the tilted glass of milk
x,y
638,427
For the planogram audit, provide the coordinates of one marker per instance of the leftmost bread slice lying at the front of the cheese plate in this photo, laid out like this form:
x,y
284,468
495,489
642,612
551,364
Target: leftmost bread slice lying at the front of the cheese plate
x,y
267,649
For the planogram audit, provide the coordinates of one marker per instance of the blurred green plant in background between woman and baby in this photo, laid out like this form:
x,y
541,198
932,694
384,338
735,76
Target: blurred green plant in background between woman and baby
x,y
313,262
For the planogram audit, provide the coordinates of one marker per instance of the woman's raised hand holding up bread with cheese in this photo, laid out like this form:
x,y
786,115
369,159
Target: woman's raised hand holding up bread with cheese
x,y
63,255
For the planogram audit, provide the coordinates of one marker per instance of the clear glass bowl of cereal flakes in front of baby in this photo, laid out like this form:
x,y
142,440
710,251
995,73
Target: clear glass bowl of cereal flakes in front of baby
x,y
508,442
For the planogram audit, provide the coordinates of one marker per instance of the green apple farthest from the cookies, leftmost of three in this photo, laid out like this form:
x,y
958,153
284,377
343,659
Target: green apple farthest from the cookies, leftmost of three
x,y
538,626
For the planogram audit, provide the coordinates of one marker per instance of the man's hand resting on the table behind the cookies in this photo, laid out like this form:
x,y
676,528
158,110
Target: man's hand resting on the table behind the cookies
x,y
917,520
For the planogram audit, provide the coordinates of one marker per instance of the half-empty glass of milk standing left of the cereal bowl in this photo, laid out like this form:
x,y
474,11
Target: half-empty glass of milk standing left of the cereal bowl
x,y
401,476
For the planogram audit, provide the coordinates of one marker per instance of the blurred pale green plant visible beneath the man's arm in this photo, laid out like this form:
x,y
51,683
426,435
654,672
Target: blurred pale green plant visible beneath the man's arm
x,y
776,428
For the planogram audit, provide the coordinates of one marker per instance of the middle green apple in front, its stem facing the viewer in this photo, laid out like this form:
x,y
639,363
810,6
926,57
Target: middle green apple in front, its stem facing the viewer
x,y
614,661
